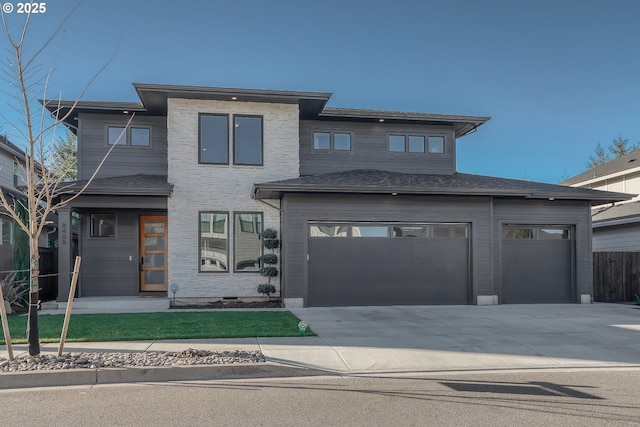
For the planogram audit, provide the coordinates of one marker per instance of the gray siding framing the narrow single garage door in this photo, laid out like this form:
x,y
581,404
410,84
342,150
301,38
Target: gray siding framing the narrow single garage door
x,y
576,214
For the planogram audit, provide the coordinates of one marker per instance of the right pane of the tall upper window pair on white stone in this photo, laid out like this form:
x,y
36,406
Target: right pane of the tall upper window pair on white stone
x,y
247,140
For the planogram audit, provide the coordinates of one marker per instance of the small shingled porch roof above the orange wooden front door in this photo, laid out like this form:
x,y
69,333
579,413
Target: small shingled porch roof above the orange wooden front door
x,y
143,185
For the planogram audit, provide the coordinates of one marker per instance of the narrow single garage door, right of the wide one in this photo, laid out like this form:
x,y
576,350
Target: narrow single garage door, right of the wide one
x,y
537,265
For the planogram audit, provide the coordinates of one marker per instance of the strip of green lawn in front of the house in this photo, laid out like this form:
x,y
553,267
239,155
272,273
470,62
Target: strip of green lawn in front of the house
x,y
160,326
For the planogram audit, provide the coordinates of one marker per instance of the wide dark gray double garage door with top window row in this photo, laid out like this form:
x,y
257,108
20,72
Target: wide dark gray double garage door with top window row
x,y
388,264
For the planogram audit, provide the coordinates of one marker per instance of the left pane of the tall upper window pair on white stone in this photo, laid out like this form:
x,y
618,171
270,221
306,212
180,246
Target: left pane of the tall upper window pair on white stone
x,y
214,139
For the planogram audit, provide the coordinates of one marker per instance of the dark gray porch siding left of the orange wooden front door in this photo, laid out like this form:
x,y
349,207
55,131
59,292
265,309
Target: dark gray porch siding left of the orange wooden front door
x,y
106,269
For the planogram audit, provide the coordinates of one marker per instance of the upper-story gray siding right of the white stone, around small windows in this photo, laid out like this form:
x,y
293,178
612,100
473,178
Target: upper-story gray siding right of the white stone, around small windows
x,y
369,149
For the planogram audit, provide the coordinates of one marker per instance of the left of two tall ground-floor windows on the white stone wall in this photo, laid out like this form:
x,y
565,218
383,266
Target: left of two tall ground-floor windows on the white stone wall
x,y
214,247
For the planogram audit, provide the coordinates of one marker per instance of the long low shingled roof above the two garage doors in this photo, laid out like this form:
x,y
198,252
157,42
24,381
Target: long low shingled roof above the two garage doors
x,y
383,182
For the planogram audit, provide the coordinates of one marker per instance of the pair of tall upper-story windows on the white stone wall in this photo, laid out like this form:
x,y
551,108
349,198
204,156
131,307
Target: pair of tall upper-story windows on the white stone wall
x,y
214,139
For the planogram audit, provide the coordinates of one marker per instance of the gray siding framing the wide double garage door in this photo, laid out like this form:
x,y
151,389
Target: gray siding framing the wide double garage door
x,y
299,209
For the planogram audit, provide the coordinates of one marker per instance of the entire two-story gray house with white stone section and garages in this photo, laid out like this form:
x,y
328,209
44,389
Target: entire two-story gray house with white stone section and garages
x,y
369,206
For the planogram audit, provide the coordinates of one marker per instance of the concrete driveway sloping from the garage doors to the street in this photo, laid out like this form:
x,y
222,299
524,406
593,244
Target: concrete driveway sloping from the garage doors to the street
x,y
443,338
